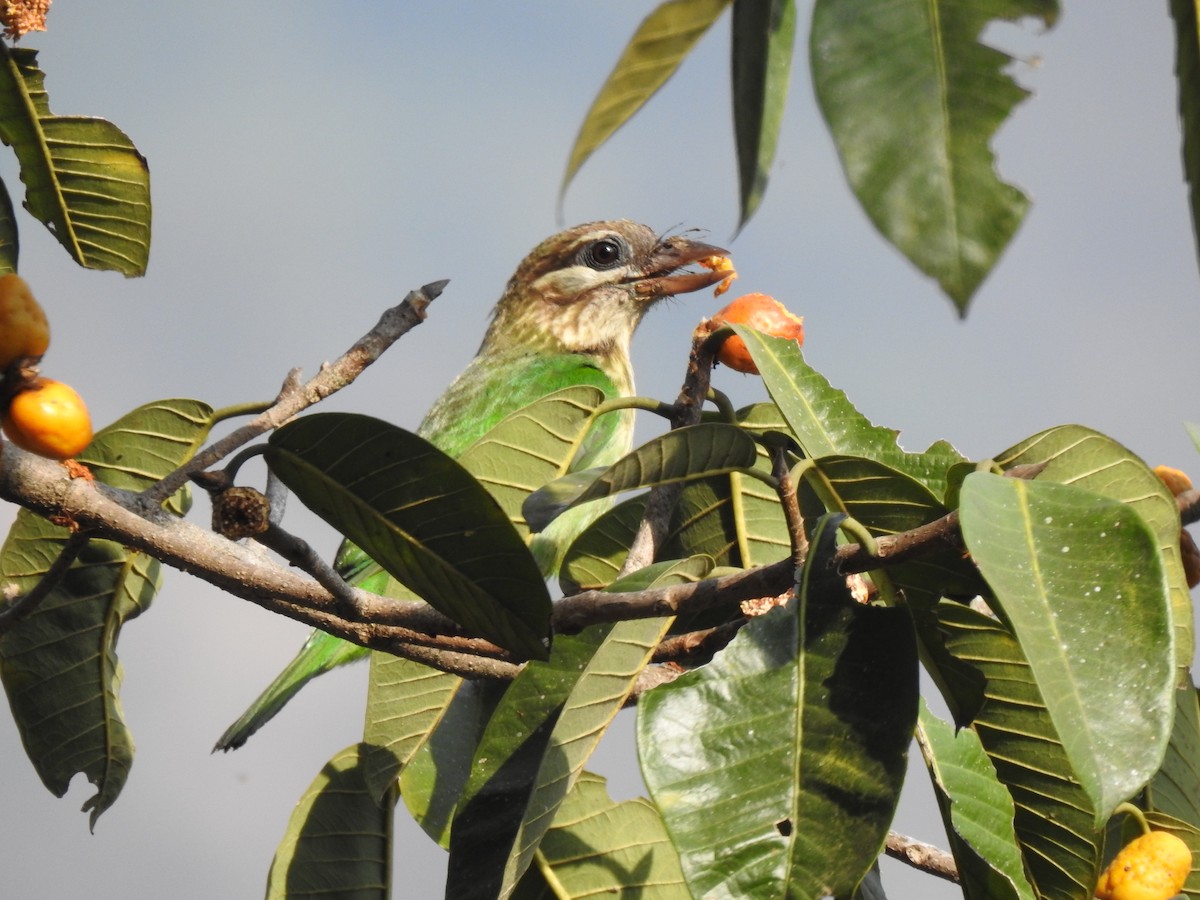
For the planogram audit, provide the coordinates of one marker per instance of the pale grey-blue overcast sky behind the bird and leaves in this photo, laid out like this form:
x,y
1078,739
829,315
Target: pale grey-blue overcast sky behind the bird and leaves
x,y
309,171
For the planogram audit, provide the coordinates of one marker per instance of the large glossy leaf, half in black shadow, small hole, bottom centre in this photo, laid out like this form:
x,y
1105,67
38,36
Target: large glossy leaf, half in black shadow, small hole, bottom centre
x,y
777,766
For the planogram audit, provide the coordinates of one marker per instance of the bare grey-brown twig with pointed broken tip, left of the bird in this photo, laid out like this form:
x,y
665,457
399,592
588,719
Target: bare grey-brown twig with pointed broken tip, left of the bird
x,y
295,398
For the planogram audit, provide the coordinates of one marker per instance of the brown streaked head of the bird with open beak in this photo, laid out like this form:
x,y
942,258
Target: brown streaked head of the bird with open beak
x,y
585,290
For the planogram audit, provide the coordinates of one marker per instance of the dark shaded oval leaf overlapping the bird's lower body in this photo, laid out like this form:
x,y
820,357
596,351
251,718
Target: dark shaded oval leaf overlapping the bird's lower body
x,y
423,518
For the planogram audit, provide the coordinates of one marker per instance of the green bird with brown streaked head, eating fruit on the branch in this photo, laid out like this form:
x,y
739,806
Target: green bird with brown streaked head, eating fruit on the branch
x,y
567,317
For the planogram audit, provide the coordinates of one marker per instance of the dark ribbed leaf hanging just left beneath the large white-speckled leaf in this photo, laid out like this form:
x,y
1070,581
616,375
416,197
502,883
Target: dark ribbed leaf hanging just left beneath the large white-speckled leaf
x,y
1055,821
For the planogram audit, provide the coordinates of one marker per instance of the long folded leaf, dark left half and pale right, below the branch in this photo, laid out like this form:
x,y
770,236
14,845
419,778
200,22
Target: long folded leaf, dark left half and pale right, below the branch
x,y
542,735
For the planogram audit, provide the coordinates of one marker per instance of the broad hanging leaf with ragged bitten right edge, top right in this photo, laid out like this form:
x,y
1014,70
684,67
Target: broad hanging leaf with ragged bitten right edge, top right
x,y
914,100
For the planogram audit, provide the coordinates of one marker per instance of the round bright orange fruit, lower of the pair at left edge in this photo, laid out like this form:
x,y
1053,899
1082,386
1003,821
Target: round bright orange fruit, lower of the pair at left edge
x,y
49,419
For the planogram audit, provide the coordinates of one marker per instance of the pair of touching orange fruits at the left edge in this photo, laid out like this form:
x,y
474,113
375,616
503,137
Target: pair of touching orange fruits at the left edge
x,y
45,417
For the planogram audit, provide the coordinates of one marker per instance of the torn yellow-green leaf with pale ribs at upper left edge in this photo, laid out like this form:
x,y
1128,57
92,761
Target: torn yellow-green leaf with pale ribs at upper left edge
x,y
85,179
